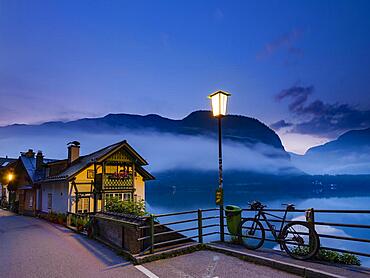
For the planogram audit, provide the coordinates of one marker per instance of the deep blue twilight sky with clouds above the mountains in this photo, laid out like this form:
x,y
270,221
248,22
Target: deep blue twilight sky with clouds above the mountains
x,y
302,67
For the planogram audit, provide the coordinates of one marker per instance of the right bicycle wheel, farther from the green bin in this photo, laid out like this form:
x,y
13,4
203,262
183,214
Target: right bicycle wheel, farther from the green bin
x,y
300,240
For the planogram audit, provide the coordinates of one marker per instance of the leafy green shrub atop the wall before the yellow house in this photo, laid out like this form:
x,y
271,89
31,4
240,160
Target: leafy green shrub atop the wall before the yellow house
x,y
132,207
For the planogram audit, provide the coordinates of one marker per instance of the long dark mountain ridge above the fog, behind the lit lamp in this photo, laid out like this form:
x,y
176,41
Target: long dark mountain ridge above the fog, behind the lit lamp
x,y
239,129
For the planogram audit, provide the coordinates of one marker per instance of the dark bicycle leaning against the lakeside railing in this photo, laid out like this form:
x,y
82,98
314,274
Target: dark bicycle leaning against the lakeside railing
x,y
297,238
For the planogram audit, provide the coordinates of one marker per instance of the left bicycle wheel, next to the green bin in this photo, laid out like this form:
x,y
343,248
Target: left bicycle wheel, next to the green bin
x,y
252,233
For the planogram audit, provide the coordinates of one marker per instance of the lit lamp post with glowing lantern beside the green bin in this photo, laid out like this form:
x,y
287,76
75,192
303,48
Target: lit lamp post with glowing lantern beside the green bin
x,y
219,104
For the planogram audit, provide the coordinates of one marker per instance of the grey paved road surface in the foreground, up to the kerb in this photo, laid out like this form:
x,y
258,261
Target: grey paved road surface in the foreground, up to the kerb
x,y
31,247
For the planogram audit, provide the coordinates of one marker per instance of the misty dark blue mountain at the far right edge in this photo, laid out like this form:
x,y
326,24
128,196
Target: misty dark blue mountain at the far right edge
x,y
349,154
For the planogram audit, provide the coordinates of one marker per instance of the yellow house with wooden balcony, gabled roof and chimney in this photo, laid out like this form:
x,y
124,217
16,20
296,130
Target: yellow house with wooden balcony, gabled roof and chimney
x,y
81,184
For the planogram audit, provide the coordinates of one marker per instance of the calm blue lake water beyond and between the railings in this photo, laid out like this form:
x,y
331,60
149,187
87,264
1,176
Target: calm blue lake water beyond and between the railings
x,y
173,198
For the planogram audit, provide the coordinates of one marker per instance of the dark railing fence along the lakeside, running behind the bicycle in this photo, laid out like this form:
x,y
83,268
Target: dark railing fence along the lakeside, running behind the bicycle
x,y
197,223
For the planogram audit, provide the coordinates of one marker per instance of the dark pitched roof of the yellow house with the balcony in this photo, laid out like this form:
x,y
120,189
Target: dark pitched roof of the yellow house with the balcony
x,y
84,161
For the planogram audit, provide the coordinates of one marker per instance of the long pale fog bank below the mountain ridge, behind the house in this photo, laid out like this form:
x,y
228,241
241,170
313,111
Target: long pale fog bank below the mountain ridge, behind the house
x,y
163,151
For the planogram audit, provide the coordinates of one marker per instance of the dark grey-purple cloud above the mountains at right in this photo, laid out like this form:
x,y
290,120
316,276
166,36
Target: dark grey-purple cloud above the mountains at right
x,y
319,118
